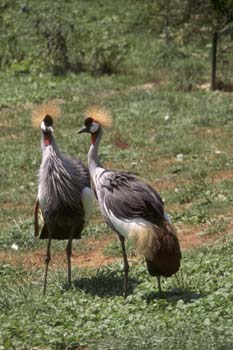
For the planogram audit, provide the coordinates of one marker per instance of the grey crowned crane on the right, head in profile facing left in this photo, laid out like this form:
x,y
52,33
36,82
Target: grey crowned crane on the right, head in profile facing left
x,y
132,208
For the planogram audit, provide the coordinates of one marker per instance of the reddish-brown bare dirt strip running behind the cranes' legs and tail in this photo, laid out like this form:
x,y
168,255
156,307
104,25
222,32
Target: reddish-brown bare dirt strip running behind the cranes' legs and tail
x,y
93,257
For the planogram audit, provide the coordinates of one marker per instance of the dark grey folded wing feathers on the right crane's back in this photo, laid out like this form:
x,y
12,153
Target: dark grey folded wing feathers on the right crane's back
x,y
128,197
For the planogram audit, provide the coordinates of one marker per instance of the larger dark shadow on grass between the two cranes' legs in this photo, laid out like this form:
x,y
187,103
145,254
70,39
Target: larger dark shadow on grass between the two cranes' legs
x,y
105,284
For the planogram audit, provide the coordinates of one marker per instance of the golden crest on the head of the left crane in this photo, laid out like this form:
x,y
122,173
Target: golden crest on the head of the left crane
x,y
50,108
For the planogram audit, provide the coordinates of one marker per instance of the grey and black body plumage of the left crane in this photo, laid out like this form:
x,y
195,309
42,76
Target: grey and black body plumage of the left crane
x,y
61,182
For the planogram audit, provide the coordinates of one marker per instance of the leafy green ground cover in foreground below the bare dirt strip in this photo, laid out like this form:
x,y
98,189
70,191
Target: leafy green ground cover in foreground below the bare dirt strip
x,y
194,311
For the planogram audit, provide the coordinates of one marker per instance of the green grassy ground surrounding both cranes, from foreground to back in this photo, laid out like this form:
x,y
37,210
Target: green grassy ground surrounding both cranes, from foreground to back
x,y
178,138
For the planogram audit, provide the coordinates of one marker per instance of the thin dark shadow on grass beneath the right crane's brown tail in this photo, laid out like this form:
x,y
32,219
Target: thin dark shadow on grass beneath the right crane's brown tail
x,y
173,296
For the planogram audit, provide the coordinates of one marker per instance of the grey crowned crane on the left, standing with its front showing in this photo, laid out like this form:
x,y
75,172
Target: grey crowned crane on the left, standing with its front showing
x,y
64,194
